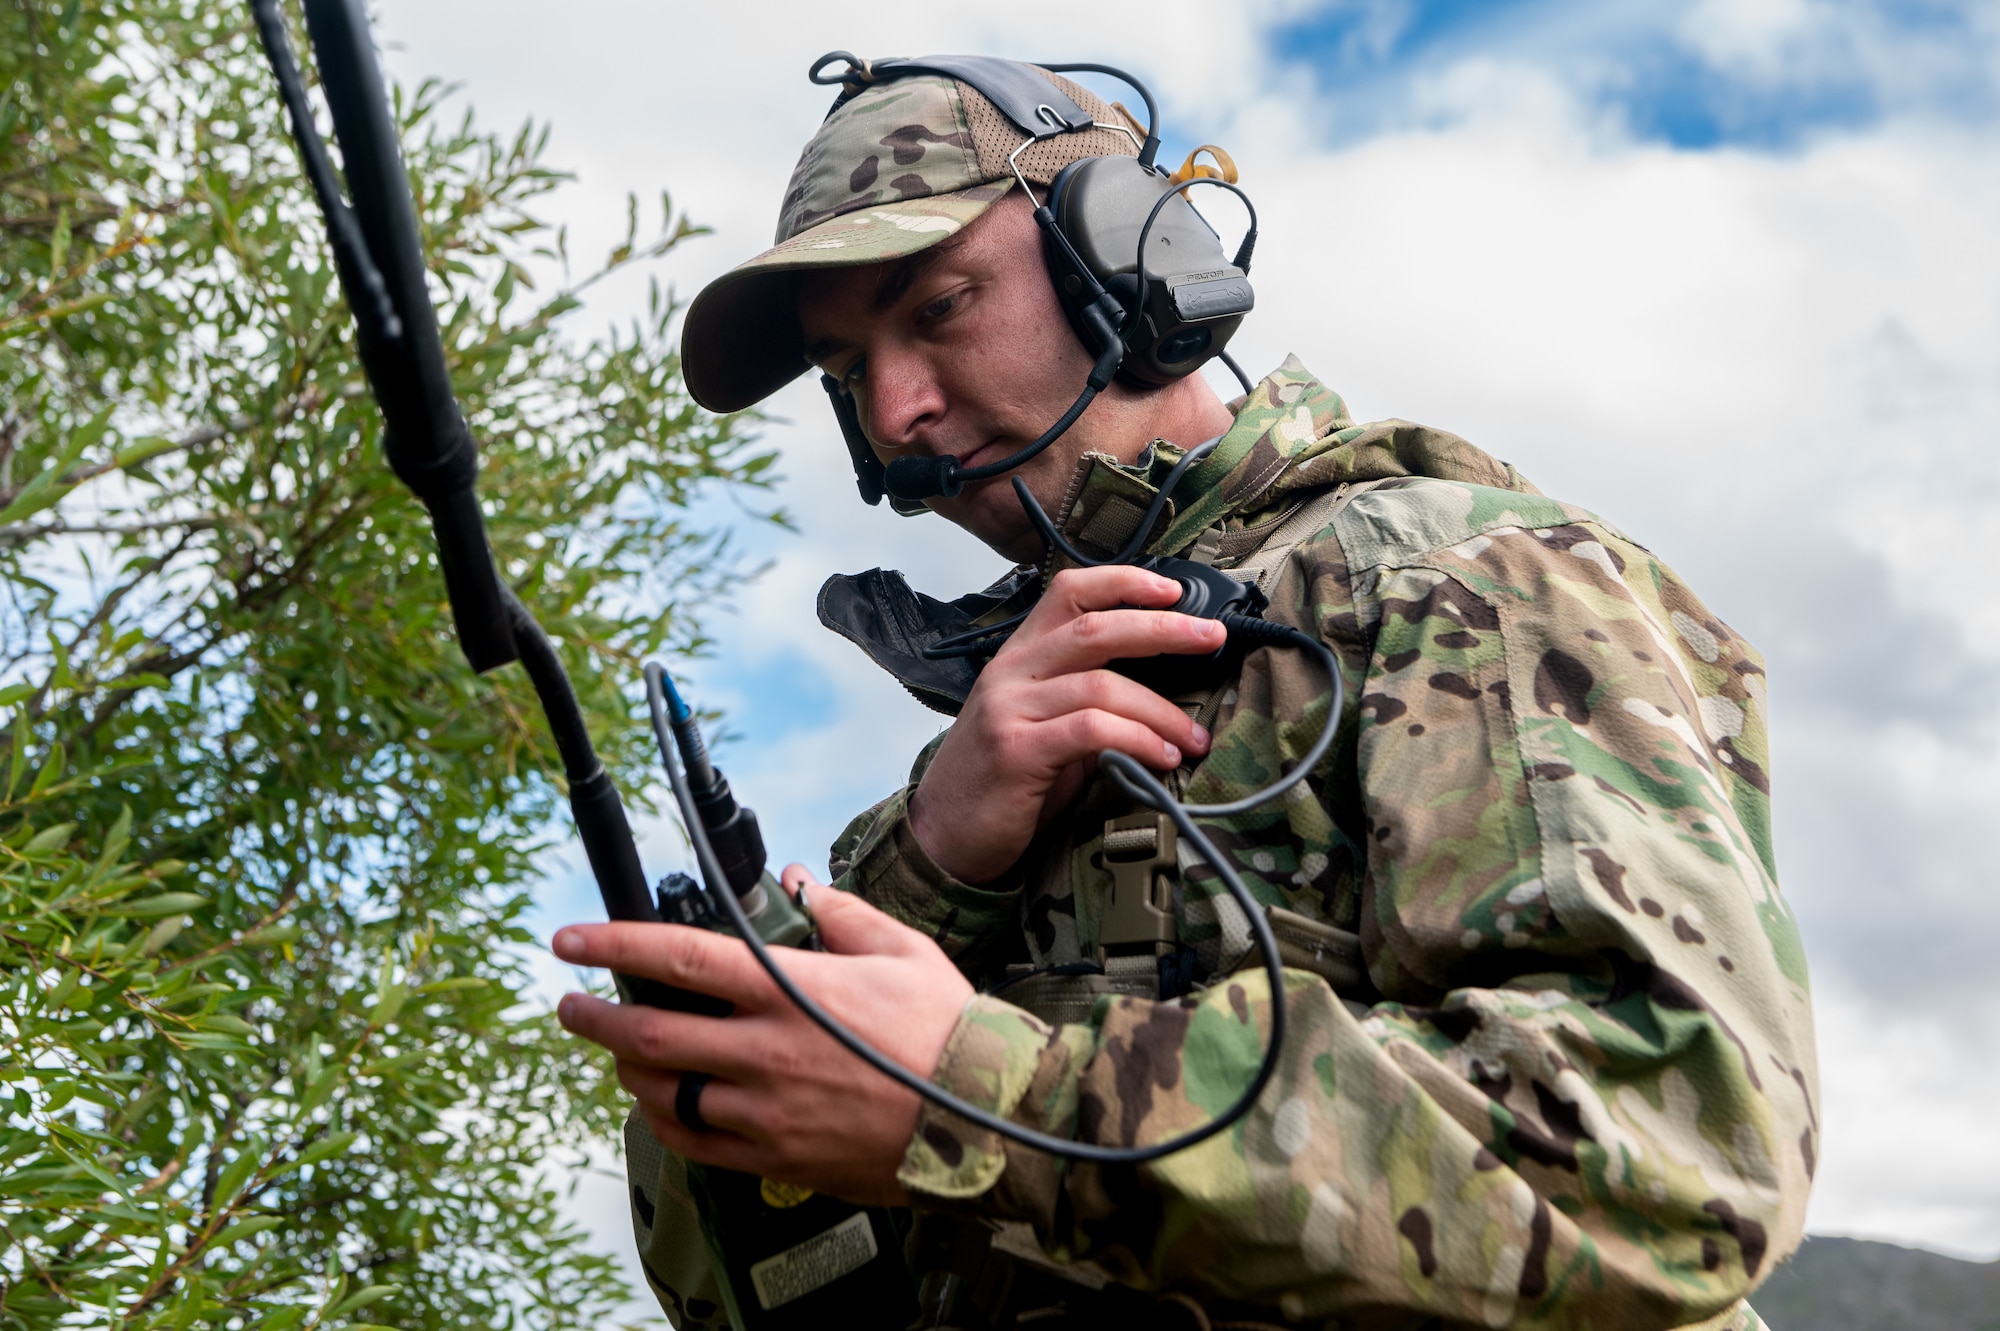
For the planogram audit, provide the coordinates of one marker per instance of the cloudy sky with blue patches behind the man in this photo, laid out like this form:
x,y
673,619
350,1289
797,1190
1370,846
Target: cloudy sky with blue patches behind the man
x,y
1723,271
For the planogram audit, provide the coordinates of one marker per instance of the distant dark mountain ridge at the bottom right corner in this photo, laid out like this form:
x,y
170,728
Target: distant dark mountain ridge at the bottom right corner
x,y
1861,1286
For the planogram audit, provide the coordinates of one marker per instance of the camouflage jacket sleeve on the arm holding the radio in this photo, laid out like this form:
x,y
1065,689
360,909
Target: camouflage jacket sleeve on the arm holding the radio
x,y
1587,1096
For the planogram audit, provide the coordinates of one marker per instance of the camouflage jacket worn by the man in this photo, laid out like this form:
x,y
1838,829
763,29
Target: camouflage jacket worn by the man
x,y
1567,1078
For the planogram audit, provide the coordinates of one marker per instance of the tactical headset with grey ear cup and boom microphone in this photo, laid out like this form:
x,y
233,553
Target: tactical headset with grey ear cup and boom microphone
x,y
1141,275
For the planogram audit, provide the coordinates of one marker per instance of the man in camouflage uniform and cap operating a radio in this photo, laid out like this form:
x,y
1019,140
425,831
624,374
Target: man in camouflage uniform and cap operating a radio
x,y
1551,1048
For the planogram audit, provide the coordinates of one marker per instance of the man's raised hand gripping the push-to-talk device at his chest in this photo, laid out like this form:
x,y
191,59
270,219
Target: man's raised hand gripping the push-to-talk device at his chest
x,y
1045,708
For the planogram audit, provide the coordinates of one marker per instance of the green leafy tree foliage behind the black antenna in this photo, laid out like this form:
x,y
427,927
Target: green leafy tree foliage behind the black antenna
x,y
265,840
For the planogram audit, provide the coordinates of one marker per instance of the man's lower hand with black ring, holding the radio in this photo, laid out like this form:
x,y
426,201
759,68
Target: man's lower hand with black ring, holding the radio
x,y
787,1102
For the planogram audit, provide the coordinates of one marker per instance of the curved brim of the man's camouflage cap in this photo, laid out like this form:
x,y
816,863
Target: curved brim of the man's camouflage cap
x,y
741,341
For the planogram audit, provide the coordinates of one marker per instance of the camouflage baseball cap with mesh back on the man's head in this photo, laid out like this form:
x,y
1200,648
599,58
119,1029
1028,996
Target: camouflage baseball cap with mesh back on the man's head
x,y
895,171
